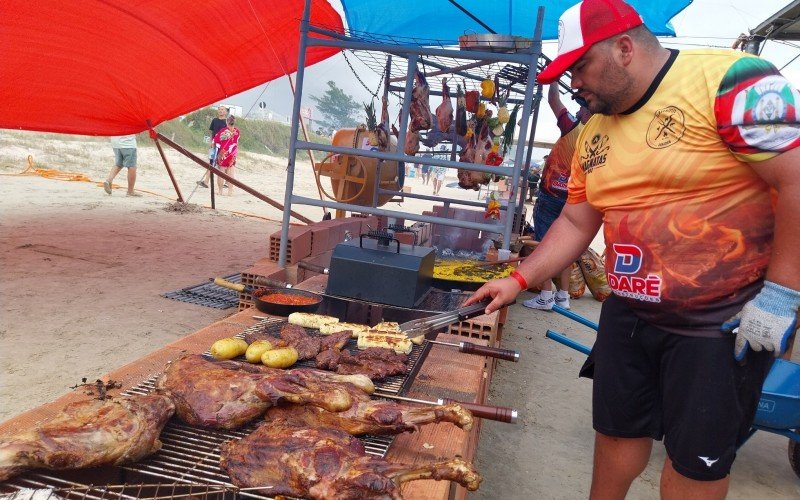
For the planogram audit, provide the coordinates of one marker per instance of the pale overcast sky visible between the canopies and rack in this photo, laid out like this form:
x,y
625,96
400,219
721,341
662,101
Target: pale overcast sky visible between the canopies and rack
x,y
704,23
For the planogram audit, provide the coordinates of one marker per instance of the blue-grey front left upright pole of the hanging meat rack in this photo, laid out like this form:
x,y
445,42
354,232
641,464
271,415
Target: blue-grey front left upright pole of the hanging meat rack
x,y
287,197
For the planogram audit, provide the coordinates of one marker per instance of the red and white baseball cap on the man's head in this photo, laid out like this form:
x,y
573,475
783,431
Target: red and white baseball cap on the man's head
x,y
583,25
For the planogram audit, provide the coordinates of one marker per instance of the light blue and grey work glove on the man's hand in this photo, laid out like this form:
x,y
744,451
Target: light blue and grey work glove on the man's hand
x,y
766,322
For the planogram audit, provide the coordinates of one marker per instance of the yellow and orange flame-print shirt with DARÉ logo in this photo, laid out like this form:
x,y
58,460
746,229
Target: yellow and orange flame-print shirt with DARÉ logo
x,y
688,224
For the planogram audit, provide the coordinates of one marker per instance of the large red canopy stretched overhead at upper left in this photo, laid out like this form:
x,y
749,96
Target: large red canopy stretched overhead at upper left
x,y
106,67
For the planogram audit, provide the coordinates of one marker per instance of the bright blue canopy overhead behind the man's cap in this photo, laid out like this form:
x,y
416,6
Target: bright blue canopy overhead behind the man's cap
x,y
440,20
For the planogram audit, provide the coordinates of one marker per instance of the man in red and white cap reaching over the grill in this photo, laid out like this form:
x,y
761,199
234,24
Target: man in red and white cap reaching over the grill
x,y
691,165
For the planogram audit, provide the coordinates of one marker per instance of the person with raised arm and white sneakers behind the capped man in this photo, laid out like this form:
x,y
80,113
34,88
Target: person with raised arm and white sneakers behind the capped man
x,y
553,195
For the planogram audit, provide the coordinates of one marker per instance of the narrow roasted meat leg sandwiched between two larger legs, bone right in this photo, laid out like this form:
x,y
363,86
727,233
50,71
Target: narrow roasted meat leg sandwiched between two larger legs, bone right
x,y
370,416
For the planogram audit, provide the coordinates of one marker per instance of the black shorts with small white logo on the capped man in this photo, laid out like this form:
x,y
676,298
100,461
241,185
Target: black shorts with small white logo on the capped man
x,y
687,390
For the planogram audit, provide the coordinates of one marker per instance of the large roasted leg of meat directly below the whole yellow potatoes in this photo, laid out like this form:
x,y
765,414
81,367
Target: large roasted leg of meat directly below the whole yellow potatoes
x,y
229,394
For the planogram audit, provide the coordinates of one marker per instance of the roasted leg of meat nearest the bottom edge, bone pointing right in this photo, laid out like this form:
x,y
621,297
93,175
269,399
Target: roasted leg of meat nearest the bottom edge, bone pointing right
x,y
325,463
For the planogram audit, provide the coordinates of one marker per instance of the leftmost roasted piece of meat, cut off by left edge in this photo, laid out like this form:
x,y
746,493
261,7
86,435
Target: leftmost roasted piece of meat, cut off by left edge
x,y
88,434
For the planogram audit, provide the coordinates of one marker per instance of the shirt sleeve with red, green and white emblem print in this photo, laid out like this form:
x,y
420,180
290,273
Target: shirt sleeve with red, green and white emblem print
x,y
756,110
